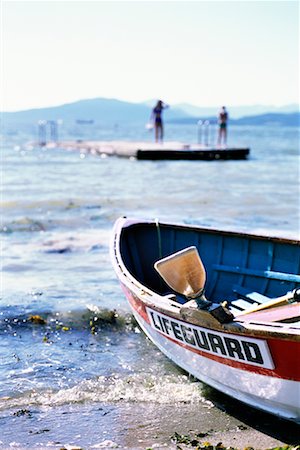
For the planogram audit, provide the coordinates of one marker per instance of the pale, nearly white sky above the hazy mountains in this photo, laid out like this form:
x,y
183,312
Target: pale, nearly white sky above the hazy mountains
x,y
206,53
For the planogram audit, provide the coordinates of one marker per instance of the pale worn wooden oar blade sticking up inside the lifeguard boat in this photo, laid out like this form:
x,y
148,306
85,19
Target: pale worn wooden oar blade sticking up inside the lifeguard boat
x,y
183,271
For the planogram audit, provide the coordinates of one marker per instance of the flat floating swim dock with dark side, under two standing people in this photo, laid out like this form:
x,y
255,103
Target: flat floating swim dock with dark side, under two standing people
x,y
171,150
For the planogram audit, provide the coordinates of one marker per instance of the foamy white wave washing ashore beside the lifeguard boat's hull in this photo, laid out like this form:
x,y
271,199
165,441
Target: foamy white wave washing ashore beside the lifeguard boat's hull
x,y
135,388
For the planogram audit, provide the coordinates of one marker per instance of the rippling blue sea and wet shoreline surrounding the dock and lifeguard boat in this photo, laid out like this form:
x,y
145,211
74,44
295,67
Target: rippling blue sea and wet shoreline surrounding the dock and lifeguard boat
x,y
75,368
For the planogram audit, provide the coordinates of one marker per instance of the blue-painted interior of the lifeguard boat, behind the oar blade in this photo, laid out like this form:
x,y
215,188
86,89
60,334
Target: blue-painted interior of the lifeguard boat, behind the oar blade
x,y
238,266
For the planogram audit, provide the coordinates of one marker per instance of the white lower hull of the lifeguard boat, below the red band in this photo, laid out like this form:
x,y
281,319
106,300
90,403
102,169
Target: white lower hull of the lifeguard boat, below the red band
x,y
275,395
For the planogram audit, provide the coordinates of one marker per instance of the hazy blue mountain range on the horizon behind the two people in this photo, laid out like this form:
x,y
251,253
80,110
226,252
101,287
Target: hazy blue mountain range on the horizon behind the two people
x,y
103,111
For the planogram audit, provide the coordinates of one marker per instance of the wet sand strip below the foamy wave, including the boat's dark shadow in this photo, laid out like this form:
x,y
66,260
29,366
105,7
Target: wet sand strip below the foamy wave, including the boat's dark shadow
x,y
143,426
